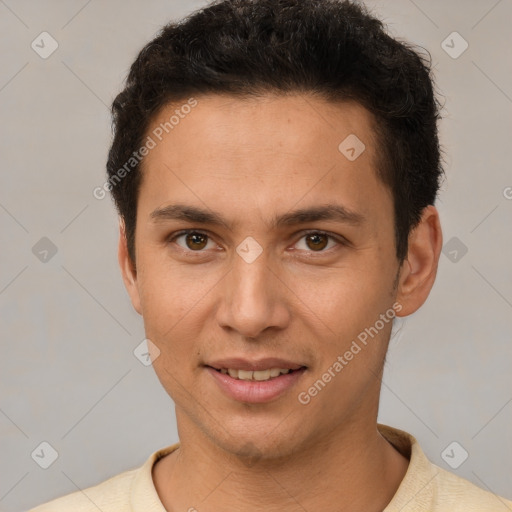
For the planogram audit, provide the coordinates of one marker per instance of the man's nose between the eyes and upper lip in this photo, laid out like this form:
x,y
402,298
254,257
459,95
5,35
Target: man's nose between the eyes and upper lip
x,y
253,298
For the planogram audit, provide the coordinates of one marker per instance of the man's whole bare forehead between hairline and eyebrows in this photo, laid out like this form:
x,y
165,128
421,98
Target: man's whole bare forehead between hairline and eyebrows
x,y
265,152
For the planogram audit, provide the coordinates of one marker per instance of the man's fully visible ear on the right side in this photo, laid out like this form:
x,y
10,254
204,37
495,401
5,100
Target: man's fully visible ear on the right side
x,y
419,269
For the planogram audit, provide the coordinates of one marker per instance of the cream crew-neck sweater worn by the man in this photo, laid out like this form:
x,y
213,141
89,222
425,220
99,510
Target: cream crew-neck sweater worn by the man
x,y
425,488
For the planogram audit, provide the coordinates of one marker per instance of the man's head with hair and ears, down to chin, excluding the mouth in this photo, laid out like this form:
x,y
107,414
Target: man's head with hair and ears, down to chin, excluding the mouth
x,y
300,133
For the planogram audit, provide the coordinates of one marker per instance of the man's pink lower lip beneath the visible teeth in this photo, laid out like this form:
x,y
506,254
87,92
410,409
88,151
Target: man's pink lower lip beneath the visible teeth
x,y
254,391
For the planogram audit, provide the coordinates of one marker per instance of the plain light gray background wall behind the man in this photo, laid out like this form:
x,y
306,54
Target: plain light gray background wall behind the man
x,y
68,373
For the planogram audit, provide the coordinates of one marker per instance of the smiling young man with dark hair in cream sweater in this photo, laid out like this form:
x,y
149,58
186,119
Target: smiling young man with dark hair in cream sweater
x,y
275,166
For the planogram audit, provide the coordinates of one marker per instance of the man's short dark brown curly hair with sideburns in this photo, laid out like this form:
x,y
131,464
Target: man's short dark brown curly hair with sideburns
x,y
330,48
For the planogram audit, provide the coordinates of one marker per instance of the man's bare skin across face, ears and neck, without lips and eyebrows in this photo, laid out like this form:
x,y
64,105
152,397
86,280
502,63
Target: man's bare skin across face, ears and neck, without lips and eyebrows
x,y
250,160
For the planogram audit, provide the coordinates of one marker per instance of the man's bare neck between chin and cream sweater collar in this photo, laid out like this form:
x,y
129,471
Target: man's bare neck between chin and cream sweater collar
x,y
354,469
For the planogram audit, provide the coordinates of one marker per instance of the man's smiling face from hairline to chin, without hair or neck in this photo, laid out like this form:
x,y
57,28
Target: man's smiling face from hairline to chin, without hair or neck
x,y
237,260
